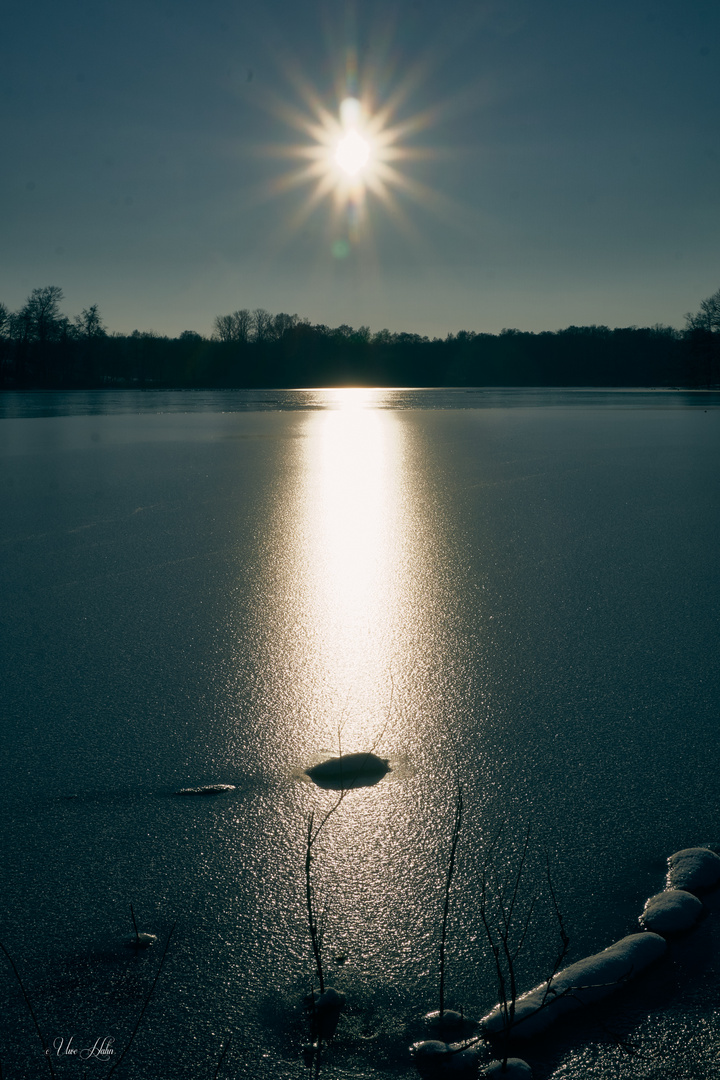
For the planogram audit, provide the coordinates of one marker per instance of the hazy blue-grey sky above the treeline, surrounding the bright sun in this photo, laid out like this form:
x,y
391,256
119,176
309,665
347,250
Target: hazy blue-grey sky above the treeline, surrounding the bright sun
x,y
564,161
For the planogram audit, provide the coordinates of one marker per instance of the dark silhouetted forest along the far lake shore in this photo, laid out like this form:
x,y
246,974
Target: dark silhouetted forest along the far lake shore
x,y
40,348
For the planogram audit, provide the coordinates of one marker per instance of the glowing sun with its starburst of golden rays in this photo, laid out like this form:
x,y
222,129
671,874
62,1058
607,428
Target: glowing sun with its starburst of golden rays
x,y
356,156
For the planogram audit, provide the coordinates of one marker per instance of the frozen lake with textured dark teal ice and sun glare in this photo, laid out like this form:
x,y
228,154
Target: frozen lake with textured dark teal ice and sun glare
x,y
519,590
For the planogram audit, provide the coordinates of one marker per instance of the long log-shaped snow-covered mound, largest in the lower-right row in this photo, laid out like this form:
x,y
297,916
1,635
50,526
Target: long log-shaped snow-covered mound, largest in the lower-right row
x,y
587,981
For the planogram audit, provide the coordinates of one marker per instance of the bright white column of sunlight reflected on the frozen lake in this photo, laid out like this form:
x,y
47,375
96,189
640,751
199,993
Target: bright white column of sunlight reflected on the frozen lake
x,y
352,506
